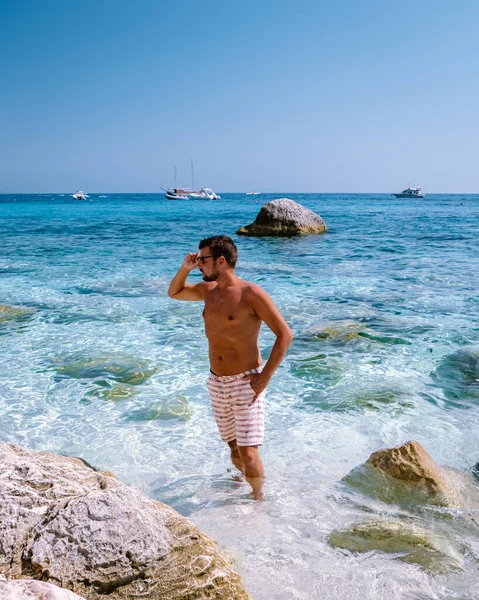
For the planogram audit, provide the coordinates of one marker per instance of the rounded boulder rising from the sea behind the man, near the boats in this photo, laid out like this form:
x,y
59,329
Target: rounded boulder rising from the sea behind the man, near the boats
x,y
284,217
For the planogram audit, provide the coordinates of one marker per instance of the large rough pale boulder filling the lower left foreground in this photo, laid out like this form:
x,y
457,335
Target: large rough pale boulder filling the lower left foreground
x,y
65,523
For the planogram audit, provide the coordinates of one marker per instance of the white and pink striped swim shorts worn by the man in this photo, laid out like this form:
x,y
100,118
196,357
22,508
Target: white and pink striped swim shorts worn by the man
x,y
237,416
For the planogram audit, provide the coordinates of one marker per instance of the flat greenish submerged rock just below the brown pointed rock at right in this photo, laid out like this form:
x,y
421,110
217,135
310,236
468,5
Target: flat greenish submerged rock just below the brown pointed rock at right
x,y
413,544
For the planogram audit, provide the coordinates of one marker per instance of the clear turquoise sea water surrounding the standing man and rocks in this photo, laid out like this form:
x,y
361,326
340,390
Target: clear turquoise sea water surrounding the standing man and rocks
x,y
97,361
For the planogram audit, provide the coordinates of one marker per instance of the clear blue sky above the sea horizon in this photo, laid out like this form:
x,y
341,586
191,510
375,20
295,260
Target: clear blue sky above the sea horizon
x,y
277,96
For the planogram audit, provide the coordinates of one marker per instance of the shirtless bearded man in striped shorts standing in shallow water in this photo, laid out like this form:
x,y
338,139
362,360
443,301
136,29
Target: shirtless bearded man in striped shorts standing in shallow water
x,y
233,313
